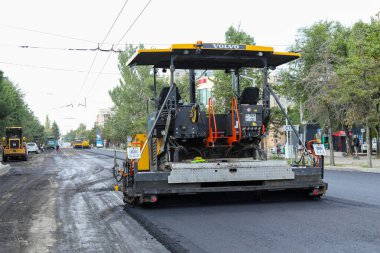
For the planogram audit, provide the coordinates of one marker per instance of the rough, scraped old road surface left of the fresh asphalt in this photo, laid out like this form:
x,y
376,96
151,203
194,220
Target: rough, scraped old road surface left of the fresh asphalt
x,y
64,203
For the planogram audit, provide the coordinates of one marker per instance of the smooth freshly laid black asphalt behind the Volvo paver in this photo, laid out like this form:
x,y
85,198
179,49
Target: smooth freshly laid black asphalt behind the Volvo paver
x,y
347,219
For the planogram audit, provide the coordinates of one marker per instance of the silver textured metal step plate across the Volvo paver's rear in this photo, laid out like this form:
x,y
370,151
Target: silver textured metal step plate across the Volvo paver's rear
x,y
229,172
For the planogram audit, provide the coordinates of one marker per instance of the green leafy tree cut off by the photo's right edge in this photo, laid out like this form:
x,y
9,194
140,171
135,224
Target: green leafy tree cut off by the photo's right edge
x,y
360,88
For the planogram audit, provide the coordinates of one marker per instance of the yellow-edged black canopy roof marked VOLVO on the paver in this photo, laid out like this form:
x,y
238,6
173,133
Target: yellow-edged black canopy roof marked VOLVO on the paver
x,y
212,56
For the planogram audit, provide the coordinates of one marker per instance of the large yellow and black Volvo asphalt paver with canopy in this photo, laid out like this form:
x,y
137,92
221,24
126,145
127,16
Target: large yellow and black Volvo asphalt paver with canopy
x,y
189,148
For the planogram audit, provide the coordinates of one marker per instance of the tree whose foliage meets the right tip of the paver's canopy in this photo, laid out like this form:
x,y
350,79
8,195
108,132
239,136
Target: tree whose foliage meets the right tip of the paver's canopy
x,y
312,79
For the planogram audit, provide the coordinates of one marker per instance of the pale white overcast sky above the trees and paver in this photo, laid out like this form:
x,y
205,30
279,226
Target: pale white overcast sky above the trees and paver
x,y
52,78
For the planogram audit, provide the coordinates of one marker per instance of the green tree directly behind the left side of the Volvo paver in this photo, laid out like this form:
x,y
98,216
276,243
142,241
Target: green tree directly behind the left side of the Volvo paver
x,y
131,96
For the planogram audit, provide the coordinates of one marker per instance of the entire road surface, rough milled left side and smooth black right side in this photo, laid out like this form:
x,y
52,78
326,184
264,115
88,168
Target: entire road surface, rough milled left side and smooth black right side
x,y
65,203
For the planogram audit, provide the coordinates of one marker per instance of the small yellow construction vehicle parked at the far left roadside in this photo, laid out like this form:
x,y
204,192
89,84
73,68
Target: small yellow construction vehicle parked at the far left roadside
x,y
14,144
